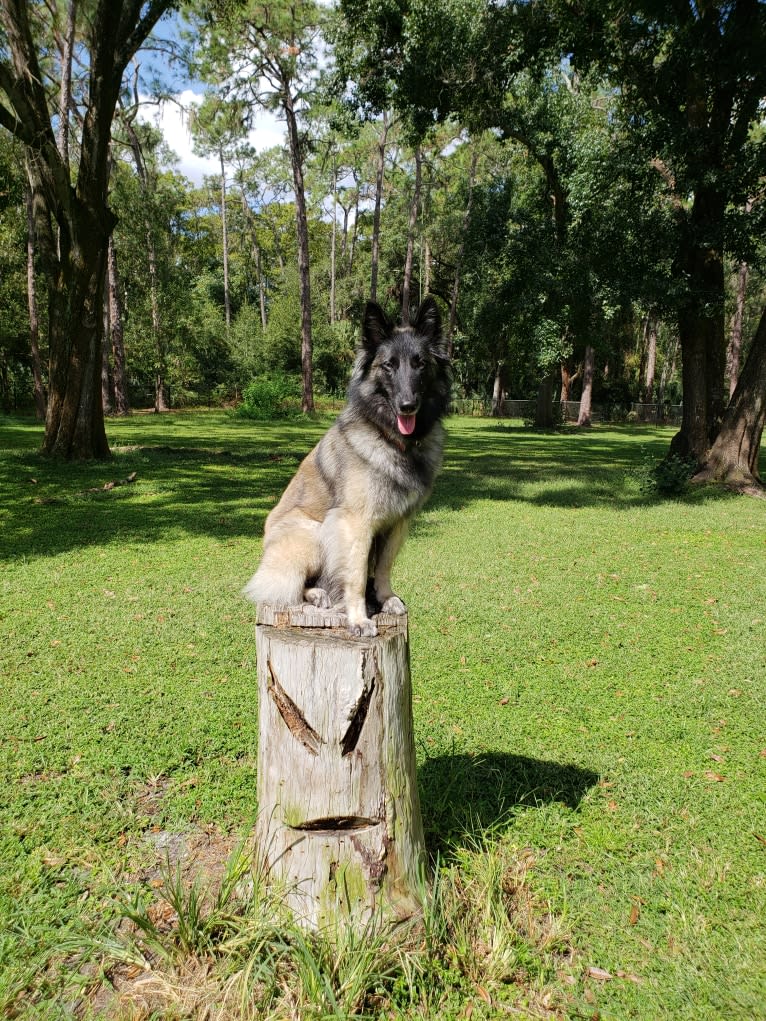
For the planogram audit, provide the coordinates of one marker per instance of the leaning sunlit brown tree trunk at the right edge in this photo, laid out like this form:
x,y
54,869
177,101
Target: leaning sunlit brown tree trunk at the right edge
x,y
734,456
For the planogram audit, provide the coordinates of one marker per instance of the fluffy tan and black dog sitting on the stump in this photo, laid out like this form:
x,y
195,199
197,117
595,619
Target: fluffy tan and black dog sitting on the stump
x,y
333,538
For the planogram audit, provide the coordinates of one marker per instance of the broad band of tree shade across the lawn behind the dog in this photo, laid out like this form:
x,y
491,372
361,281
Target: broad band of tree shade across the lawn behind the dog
x,y
219,478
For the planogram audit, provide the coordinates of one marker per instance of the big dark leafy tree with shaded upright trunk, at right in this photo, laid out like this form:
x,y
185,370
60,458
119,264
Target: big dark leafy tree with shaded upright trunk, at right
x,y
693,79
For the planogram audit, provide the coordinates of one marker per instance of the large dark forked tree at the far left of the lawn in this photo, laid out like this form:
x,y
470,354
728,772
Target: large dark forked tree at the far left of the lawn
x,y
74,261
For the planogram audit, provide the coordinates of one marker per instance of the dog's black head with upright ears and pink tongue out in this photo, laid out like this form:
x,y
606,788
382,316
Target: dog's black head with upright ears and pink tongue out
x,y
402,378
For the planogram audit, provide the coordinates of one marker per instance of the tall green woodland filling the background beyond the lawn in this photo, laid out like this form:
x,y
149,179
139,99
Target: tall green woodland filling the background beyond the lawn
x,y
581,185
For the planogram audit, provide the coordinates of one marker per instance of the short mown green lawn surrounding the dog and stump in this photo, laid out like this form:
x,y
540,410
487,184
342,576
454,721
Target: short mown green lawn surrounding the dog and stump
x,y
589,665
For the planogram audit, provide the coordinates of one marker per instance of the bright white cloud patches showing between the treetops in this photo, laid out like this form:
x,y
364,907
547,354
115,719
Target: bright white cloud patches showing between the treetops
x,y
172,119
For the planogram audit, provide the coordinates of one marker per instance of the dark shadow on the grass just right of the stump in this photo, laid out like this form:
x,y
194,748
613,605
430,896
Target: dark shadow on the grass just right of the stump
x,y
465,796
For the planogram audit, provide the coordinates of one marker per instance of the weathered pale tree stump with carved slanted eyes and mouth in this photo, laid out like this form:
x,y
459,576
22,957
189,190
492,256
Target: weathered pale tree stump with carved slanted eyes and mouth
x,y
340,825
